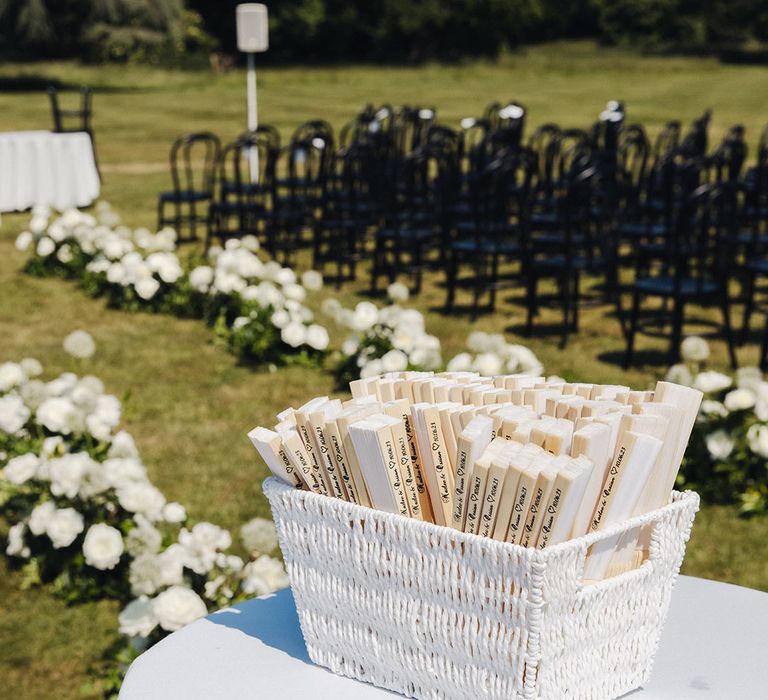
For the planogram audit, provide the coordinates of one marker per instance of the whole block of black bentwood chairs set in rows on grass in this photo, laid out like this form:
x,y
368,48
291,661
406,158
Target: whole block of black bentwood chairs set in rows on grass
x,y
492,209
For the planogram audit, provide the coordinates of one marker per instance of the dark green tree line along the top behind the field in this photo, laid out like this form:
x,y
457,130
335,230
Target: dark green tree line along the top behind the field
x,y
393,31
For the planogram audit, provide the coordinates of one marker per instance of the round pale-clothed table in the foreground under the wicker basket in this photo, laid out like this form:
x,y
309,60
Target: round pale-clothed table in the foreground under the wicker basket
x,y
714,645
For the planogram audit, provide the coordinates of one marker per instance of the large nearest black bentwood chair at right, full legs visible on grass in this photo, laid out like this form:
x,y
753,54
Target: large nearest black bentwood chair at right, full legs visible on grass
x,y
694,270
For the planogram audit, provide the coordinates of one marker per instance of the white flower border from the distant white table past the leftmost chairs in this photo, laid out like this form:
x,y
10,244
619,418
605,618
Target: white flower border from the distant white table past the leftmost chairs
x,y
256,307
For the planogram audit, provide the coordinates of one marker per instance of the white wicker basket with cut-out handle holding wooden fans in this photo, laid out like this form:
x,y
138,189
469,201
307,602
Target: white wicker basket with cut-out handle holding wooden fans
x,y
430,612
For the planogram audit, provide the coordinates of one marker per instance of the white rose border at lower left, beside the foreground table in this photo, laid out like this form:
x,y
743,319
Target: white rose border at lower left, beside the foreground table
x,y
85,517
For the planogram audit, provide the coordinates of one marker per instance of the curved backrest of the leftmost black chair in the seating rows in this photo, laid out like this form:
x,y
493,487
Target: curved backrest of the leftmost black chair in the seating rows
x,y
194,159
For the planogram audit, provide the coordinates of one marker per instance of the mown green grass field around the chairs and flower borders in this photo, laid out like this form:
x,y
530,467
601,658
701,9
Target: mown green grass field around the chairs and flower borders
x,y
189,404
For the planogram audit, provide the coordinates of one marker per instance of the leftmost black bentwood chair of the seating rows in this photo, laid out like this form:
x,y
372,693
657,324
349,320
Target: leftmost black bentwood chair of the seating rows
x,y
194,159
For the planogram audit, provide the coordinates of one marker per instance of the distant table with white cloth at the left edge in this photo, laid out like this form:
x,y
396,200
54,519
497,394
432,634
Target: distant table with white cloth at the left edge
x,y
47,169
